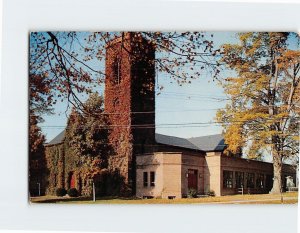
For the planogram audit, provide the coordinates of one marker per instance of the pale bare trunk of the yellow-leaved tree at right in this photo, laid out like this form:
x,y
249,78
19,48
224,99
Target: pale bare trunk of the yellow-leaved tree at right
x,y
277,166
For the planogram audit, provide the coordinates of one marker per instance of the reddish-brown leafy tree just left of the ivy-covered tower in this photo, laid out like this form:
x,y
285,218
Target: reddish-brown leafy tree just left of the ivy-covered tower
x,y
86,139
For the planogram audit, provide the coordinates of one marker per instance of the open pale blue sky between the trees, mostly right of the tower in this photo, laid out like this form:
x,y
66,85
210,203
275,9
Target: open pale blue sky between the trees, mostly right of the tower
x,y
196,102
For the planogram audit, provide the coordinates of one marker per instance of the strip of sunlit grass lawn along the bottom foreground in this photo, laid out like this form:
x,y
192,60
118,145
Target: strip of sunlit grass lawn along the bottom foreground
x,y
288,198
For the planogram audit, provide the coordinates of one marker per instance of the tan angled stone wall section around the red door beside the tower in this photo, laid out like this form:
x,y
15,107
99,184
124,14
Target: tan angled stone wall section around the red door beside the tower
x,y
171,170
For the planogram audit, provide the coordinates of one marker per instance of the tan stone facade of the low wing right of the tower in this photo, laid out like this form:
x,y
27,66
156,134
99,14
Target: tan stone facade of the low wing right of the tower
x,y
172,170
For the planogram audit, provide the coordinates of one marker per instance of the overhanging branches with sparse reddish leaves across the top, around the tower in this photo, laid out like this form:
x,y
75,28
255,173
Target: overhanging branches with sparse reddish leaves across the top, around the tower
x,y
72,63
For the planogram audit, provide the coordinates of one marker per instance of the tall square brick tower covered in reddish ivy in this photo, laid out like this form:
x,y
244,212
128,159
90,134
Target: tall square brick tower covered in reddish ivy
x,y
130,101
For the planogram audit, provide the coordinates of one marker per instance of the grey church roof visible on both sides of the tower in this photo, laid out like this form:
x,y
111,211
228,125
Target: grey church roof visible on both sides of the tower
x,y
204,143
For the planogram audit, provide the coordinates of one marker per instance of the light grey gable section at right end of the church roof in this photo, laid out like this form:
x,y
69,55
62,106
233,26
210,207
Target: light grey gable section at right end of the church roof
x,y
209,143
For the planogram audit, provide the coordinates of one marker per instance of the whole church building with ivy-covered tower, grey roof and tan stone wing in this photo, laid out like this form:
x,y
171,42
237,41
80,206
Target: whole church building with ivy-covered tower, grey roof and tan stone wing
x,y
155,165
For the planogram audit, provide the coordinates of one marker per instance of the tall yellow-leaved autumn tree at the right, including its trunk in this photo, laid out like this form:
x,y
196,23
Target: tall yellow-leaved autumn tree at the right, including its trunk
x,y
263,110
